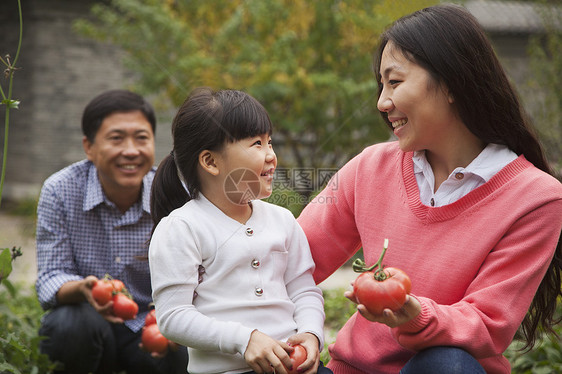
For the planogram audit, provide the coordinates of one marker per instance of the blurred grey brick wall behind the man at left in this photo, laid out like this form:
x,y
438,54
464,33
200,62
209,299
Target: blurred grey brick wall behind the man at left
x,y
60,73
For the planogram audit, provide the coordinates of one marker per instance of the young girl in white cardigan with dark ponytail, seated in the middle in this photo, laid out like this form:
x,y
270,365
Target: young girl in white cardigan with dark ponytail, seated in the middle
x,y
231,275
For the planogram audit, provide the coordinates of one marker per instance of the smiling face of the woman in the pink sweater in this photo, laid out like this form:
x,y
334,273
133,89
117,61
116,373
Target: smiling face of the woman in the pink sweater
x,y
418,107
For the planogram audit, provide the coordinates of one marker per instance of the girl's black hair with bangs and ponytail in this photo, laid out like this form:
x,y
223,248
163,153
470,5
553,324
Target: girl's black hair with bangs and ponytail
x,y
206,121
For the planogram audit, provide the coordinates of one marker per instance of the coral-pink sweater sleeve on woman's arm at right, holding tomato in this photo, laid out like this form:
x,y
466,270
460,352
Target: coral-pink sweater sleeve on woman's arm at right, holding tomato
x,y
486,318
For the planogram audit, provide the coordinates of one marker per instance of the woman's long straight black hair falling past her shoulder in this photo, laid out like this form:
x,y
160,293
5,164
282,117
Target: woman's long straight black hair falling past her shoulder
x,y
450,44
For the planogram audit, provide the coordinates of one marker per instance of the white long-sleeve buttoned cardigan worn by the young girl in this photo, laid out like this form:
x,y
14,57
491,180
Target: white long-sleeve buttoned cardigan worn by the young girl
x,y
215,280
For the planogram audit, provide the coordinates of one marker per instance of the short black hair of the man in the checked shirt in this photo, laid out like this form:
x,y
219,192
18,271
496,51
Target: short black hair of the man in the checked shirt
x,y
114,101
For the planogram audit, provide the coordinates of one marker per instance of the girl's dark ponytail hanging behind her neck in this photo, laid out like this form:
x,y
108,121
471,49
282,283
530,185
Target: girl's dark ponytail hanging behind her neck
x,y
168,192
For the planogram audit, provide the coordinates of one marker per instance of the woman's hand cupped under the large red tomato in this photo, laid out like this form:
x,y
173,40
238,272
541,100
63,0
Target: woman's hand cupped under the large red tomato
x,y
408,312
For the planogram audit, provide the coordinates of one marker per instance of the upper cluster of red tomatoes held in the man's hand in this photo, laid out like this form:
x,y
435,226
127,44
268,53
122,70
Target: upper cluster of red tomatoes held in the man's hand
x,y
108,289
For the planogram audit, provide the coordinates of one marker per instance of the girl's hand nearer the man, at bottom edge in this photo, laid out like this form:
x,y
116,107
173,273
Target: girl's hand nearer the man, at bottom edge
x,y
264,354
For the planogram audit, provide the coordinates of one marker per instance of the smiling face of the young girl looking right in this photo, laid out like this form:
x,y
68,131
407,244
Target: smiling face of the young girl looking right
x,y
247,167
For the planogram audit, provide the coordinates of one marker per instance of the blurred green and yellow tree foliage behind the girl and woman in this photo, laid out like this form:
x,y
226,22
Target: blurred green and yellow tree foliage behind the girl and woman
x,y
308,62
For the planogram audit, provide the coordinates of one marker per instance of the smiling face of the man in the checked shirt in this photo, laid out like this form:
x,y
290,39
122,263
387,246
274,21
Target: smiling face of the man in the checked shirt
x,y
123,152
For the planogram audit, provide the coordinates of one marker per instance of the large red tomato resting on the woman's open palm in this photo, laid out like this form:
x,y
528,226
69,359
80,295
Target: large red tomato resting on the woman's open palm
x,y
378,295
